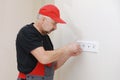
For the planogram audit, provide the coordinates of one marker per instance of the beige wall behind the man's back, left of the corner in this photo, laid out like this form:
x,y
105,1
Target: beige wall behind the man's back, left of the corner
x,y
13,15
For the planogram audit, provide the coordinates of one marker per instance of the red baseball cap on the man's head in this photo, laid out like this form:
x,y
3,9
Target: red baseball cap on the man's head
x,y
51,11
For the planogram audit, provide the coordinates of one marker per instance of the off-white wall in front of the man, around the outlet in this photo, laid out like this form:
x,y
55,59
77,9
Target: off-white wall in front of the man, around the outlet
x,y
92,20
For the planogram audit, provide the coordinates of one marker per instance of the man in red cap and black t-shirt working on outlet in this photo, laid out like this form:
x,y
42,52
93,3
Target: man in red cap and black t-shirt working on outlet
x,y
36,58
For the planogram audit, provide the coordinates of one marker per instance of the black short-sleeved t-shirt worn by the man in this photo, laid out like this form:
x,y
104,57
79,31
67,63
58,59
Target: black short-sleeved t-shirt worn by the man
x,y
27,40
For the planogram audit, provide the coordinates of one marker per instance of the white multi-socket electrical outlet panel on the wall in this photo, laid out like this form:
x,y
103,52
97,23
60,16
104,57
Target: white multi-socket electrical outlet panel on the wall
x,y
90,46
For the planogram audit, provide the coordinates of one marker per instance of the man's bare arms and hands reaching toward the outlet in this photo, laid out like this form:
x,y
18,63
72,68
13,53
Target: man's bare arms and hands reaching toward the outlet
x,y
60,55
